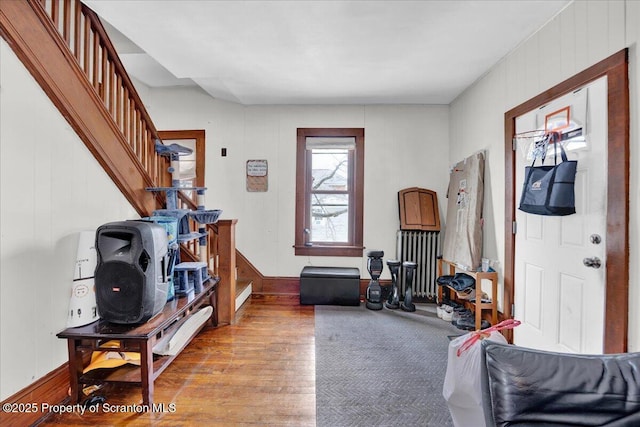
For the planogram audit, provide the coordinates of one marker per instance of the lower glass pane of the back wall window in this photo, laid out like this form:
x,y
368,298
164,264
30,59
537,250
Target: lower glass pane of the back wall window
x,y
330,218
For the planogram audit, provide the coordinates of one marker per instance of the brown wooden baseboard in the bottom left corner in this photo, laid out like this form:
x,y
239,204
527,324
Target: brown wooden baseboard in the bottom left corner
x,y
51,389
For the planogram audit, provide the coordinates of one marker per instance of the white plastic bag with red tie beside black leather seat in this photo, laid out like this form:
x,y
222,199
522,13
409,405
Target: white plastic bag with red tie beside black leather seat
x,y
462,382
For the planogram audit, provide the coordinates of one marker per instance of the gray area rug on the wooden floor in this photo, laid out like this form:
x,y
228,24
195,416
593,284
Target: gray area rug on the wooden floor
x,y
380,368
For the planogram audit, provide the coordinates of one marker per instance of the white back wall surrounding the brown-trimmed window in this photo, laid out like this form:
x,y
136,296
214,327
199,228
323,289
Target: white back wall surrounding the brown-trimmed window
x,y
405,146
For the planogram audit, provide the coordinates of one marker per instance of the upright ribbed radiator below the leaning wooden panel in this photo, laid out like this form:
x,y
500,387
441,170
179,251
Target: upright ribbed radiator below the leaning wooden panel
x,y
421,247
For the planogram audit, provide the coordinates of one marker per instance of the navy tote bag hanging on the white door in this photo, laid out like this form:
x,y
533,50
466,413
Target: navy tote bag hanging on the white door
x,y
549,190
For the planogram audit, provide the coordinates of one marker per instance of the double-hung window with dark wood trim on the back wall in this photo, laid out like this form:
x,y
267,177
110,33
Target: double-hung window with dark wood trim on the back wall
x,y
329,192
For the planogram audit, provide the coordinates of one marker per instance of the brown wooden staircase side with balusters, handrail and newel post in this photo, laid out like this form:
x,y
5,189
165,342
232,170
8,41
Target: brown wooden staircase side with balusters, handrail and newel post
x,y
65,47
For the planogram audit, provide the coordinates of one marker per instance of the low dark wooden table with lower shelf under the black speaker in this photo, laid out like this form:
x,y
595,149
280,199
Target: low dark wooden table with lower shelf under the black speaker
x,y
142,338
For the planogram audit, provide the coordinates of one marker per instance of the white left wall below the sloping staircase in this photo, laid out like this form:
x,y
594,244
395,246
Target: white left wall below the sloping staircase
x,y
50,189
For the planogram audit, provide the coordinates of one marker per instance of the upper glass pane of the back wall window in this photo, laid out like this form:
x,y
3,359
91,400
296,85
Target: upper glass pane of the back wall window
x,y
330,169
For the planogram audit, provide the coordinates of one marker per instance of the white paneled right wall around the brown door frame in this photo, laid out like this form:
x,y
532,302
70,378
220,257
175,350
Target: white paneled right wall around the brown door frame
x,y
584,33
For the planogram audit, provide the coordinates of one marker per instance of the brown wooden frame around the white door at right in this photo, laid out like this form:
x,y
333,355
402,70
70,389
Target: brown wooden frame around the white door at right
x,y
615,68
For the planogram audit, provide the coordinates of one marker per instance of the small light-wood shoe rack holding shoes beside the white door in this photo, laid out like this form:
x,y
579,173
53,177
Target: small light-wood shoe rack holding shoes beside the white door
x,y
449,268
